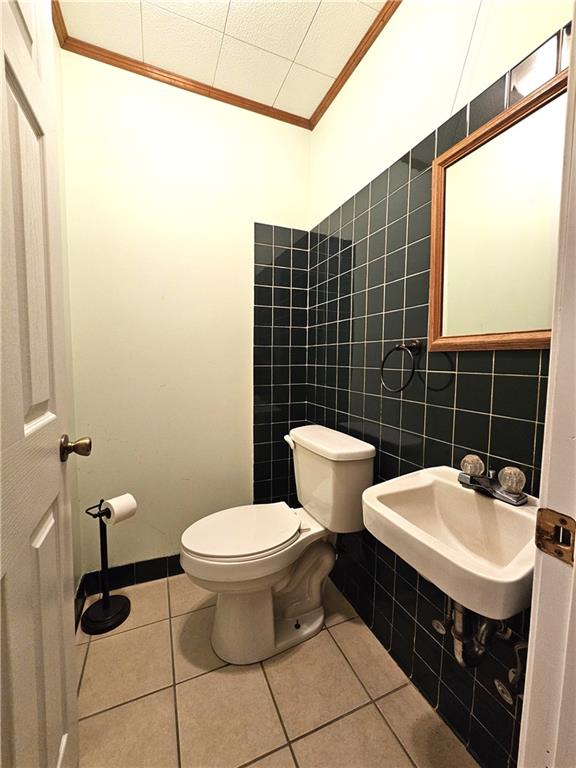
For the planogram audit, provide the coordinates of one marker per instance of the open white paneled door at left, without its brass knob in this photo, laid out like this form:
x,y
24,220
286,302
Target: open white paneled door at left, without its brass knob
x,y
39,719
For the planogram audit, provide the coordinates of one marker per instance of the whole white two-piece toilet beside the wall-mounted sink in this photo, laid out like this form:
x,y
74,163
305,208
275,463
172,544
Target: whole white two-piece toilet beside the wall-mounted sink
x,y
267,563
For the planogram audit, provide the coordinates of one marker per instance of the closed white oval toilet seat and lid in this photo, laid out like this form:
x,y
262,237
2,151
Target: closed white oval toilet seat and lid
x,y
242,534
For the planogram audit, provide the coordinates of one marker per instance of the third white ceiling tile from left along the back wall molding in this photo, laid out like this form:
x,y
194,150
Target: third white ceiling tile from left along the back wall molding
x,y
250,71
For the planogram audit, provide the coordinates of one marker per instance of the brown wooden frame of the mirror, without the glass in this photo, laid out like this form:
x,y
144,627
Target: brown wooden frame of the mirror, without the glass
x,y
506,119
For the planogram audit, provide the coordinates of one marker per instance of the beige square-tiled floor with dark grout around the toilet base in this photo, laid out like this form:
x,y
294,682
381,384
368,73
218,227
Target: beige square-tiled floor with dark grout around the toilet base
x,y
153,694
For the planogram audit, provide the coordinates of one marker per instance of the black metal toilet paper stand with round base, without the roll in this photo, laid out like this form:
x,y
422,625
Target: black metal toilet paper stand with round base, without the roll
x,y
110,611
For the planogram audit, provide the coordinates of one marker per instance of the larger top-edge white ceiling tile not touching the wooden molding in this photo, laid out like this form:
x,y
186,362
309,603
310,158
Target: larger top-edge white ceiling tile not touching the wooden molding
x,y
278,26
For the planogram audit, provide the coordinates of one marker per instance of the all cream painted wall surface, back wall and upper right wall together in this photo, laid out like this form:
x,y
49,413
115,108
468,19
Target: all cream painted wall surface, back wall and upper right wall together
x,y
162,189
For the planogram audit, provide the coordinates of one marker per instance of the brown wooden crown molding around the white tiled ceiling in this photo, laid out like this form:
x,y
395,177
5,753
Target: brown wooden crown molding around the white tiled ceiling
x,y
106,56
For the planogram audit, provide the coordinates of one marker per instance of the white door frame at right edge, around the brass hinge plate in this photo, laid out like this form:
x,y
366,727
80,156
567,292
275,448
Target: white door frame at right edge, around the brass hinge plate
x,y
548,735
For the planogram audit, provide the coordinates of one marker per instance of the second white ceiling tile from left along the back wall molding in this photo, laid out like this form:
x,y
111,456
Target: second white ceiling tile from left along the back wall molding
x,y
178,44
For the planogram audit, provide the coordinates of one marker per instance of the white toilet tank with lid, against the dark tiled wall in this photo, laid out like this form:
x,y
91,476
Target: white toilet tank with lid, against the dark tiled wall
x,y
332,470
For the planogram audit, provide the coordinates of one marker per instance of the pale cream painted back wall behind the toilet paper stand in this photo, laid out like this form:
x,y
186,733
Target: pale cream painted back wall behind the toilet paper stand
x,y
162,190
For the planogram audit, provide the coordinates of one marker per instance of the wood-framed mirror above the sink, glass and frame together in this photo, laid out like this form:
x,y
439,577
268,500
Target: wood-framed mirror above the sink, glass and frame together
x,y
495,214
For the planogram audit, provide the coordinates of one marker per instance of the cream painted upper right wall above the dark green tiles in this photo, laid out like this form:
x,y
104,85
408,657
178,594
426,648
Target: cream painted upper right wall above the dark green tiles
x,y
430,60
